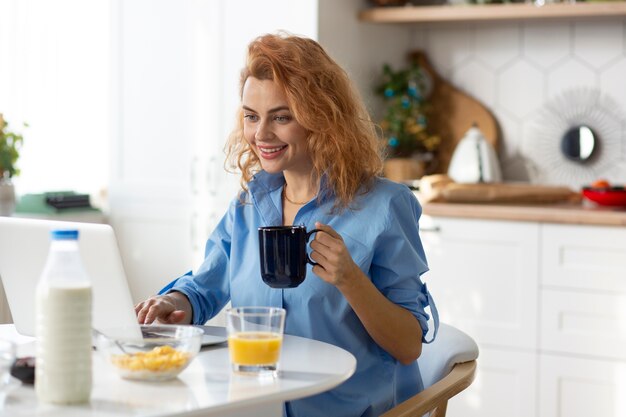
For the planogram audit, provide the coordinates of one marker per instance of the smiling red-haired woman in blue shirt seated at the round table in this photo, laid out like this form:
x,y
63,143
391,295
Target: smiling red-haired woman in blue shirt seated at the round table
x,y
309,155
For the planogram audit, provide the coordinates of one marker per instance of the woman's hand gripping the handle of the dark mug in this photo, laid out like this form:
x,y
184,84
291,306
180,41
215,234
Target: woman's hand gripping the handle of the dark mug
x,y
330,252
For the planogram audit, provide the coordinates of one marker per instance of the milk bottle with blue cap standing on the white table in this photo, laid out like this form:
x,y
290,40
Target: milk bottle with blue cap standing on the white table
x,y
63,324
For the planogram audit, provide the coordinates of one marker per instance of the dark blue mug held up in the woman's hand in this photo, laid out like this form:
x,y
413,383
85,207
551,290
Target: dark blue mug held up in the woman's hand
x,y
283,255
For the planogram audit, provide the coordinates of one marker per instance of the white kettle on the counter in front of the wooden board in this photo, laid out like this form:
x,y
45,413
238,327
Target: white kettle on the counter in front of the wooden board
x,y
474,160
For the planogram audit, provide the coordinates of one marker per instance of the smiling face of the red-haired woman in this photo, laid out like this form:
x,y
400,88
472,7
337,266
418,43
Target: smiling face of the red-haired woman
x,y
270,128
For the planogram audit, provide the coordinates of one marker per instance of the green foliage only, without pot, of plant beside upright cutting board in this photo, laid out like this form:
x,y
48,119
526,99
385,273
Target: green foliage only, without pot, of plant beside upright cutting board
x,y
405,123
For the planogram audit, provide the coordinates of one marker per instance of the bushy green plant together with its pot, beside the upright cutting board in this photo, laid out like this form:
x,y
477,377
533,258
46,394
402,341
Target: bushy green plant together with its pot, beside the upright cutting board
x,y
409,143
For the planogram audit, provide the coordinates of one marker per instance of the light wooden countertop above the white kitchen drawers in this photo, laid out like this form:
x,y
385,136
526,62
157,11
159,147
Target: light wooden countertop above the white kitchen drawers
x,y
567,213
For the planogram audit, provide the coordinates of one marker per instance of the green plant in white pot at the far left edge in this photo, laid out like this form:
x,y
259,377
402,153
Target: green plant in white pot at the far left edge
x,y
10,144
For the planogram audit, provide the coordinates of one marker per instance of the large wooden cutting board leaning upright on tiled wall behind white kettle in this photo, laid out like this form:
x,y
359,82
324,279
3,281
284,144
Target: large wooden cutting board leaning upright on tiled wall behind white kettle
x,y
453,113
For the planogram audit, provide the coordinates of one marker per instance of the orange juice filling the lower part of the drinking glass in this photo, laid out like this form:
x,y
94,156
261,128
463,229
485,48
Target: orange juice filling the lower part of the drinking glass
x,y
254,348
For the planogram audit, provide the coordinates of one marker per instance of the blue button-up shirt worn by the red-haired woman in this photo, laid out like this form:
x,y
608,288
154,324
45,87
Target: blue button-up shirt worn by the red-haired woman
x,y
381,233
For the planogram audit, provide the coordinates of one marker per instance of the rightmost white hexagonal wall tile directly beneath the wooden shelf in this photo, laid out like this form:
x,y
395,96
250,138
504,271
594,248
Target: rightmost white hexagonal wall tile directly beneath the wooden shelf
x,y
588,47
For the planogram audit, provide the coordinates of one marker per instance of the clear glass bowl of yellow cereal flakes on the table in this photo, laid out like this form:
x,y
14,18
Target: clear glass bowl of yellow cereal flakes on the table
x,y
159,353
